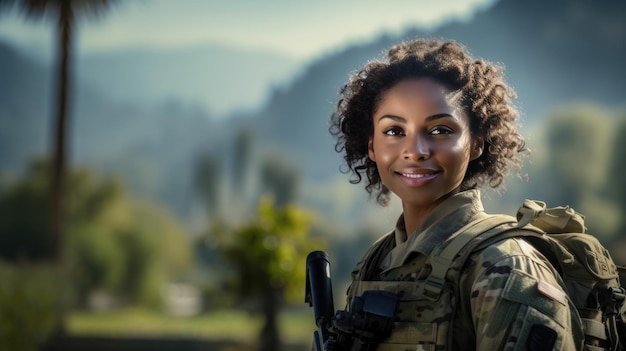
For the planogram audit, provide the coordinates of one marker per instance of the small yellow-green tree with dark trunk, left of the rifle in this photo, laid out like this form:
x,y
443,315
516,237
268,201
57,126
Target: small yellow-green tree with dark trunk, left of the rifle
x,y
267,257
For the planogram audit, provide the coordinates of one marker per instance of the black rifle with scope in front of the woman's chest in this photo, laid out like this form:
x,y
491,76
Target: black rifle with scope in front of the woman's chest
x,y
369,320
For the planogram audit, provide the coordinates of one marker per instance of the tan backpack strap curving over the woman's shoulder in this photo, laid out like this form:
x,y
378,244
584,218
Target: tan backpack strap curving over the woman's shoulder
x,y
463,242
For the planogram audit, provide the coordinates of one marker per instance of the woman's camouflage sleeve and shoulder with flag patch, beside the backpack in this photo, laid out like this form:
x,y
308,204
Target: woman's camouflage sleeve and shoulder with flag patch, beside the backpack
x,y
511,283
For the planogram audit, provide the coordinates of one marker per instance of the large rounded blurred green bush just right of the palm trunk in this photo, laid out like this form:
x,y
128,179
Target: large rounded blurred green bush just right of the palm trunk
x,y
123,247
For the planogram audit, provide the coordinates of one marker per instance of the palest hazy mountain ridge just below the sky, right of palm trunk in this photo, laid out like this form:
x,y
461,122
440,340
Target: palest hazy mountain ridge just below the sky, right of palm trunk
x,y
215,77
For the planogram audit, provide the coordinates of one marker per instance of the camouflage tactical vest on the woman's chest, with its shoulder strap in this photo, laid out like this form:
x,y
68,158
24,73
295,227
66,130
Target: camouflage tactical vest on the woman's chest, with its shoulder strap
x,y
428,296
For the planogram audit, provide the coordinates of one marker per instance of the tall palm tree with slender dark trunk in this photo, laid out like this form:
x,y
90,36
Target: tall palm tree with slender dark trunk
x,y
64,12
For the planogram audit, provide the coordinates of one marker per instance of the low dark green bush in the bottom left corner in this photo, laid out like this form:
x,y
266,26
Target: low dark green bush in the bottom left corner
x,y
30,301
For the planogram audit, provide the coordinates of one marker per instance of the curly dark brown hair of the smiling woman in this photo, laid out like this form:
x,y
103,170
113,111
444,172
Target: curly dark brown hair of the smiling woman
x,y
481,92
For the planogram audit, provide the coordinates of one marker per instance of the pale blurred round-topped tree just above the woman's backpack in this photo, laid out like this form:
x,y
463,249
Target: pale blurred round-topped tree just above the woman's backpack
x,y
575,163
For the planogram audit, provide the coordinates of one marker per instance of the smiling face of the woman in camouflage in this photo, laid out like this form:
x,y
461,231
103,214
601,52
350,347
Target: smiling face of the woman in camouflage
x,y
421,143
